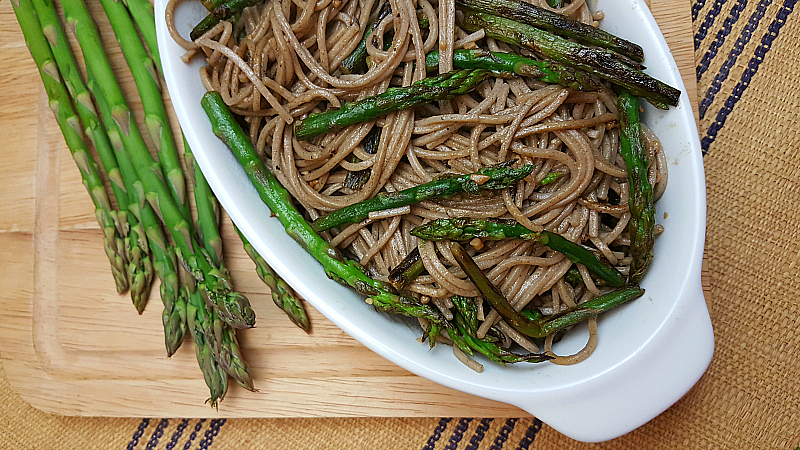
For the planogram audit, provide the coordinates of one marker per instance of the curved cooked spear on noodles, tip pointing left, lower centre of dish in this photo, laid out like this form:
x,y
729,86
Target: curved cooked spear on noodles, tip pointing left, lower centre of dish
x,y
465,229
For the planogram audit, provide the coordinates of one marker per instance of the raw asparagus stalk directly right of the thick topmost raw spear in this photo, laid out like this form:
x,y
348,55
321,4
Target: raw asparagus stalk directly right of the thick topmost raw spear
x,y
155,114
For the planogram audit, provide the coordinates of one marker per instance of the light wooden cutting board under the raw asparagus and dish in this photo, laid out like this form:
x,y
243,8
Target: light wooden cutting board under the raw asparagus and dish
x,y
71,345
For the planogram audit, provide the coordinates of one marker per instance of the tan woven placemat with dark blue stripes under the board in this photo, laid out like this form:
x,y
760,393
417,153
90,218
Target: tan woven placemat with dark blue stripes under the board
x,y
747,63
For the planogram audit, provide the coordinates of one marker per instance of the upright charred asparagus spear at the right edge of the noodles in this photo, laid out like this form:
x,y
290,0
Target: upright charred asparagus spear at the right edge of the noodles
x,y
641,204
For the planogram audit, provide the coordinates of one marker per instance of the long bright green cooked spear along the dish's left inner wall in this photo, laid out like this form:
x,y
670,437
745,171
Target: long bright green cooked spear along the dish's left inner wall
x,y
277,198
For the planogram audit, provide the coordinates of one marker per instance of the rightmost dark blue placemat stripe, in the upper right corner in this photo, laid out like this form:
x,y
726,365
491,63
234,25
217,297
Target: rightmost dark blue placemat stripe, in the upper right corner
x,y
752,68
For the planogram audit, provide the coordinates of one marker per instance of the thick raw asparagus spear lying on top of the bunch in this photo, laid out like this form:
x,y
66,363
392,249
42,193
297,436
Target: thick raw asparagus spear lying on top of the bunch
x,y
215,286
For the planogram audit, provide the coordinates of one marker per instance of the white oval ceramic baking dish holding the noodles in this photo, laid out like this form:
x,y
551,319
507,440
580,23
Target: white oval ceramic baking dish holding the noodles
x,y
650,352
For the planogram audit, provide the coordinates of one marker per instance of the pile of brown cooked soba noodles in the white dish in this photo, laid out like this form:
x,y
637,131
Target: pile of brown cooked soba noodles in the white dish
x,y
286,64
